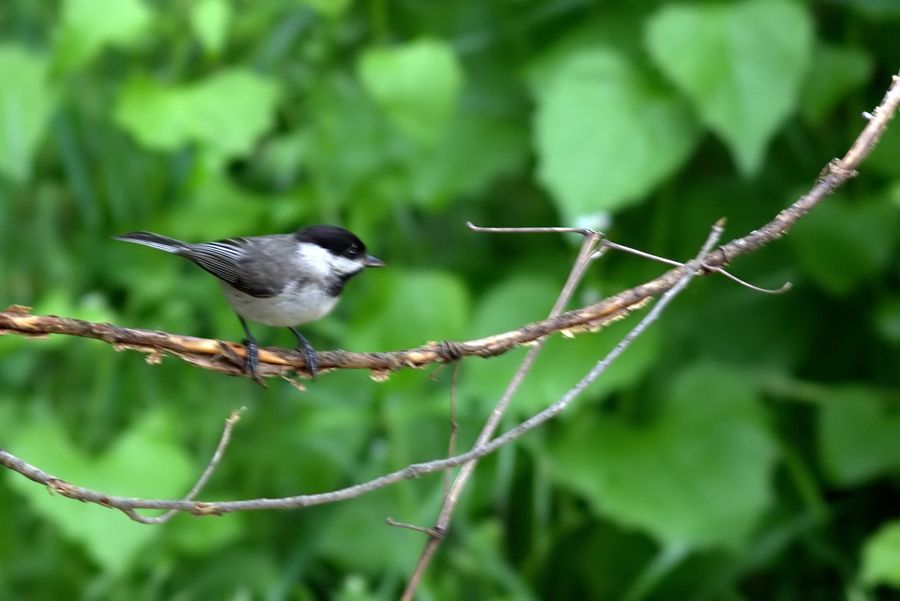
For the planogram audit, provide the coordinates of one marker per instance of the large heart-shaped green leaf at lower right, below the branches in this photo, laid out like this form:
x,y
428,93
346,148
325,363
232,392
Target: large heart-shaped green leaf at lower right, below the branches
x,y
697,475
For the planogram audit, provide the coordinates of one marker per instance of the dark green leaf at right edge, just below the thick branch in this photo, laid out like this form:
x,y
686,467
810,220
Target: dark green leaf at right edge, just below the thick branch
x,y
842,245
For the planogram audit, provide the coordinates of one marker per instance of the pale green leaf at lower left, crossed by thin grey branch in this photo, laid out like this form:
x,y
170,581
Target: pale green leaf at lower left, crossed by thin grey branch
x,y
141,463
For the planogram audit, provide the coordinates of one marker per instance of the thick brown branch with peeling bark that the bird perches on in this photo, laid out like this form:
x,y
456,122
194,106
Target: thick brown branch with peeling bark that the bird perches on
x,y
221,356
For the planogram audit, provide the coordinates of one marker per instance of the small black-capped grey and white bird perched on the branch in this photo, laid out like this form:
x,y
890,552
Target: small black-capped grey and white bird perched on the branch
x,y
278,280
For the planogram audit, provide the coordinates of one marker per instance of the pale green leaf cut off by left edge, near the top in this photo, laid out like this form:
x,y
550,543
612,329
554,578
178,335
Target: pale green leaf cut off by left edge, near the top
x,y
27,100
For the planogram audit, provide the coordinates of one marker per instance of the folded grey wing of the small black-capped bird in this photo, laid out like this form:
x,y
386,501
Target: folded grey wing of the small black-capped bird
x,y
234,261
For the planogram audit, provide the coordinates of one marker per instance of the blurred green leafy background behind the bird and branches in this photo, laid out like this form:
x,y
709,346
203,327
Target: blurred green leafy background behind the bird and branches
x,y
747,447
